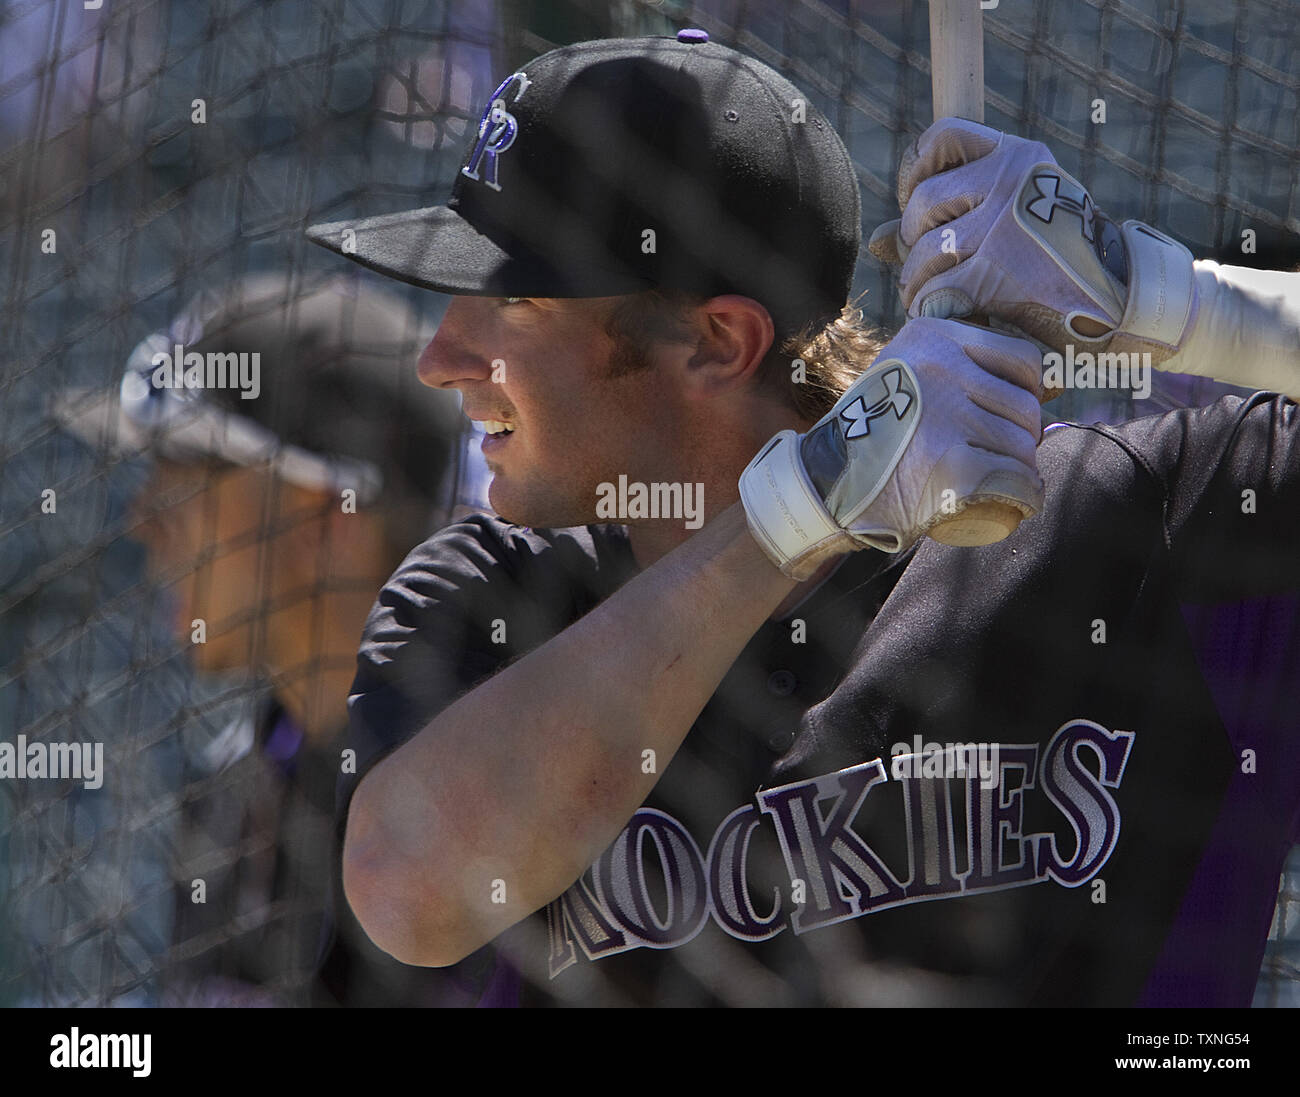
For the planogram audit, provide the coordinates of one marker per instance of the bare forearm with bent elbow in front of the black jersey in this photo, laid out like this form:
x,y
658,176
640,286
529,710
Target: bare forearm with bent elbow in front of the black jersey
x,y
515,790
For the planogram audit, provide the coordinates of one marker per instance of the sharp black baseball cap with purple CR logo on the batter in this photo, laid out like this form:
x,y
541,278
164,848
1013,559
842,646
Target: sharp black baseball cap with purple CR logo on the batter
x,y
613,167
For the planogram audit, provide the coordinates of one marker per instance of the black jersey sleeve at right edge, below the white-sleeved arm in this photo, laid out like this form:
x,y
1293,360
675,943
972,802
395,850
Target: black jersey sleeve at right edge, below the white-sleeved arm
x,y
1229,478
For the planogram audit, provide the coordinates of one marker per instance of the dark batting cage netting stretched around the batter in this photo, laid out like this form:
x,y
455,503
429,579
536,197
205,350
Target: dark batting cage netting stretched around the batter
x,y
159,164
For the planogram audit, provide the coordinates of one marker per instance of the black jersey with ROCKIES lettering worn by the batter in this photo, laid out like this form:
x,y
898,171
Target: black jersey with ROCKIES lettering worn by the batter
x,y
1064,769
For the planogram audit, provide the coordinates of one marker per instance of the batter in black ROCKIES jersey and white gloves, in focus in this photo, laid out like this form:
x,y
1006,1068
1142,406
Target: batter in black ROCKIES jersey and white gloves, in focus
x,y
783,748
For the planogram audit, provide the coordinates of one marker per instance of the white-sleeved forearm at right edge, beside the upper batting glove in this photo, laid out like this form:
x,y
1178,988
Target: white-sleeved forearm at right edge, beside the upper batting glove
x,y
1247,329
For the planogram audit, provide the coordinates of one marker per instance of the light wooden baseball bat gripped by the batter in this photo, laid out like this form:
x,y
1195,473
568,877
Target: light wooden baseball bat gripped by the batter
x,y
957,84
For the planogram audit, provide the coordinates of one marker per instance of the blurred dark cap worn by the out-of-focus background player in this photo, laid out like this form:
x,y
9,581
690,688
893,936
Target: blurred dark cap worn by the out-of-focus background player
x,y
318,384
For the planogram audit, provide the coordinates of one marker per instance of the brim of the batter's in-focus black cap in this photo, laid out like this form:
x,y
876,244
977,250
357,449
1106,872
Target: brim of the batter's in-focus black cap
x,y
436,249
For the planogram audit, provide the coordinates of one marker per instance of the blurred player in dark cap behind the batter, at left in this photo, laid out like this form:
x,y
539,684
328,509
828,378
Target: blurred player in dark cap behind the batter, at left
x,y
276,508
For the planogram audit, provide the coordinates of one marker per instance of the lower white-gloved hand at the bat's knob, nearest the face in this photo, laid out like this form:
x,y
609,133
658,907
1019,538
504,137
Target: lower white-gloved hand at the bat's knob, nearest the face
x,y
948,415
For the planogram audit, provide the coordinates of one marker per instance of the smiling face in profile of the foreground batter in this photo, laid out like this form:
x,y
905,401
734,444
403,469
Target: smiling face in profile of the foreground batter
x,y
543,367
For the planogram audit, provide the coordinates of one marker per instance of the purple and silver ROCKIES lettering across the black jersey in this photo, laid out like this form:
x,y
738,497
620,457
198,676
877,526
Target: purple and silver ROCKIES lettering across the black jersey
x,y
609,910
